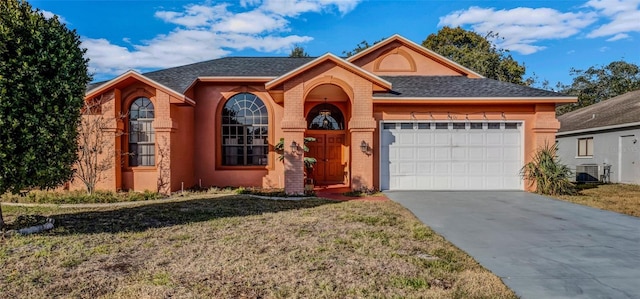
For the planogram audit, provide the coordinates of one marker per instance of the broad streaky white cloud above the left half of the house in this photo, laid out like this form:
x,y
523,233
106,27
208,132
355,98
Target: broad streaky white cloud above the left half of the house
x,y
210,31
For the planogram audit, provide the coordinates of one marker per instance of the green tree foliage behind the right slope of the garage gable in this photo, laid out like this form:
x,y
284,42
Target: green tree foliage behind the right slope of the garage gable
x,y
476,52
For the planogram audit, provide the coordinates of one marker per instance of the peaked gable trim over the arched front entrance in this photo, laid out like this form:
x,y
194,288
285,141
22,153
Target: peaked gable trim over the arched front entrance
x,y
385,85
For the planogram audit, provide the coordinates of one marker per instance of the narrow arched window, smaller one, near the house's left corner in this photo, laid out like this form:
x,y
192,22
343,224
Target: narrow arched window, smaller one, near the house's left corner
x,y
141,134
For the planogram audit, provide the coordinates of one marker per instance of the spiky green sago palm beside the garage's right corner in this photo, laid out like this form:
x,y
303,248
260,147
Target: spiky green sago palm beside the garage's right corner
x,y
549,175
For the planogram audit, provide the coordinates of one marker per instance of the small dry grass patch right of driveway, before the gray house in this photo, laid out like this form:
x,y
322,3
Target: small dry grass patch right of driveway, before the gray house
x,y
619,198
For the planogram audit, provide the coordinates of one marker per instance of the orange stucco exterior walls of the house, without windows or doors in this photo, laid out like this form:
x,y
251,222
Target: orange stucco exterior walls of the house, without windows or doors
x,y
188,133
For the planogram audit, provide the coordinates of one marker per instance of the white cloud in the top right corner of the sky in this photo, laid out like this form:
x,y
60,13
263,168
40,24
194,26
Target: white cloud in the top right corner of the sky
x,y
623,15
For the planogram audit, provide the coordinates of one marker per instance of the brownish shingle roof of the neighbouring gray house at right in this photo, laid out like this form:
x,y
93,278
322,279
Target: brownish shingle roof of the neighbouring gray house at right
x,y
619,110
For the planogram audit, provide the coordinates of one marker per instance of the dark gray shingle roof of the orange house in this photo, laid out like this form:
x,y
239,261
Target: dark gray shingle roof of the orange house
x,y
179,78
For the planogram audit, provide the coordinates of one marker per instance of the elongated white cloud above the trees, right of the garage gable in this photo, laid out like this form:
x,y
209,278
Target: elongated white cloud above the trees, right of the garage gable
x,y
521,28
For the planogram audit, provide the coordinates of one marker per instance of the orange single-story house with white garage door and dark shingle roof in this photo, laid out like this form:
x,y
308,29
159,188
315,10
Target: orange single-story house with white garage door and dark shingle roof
x,y
394,116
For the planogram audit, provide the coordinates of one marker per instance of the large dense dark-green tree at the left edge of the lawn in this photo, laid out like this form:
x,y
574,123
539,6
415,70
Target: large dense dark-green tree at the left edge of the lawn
x,y
43,76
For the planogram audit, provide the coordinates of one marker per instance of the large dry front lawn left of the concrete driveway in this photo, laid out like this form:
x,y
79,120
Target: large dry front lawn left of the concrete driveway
x,y
234,246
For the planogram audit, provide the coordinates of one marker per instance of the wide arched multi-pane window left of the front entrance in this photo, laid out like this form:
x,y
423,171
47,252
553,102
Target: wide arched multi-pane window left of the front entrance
x,y
245,128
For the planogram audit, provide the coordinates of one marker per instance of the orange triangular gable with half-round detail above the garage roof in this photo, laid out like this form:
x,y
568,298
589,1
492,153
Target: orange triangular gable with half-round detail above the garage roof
x,y
399,56
